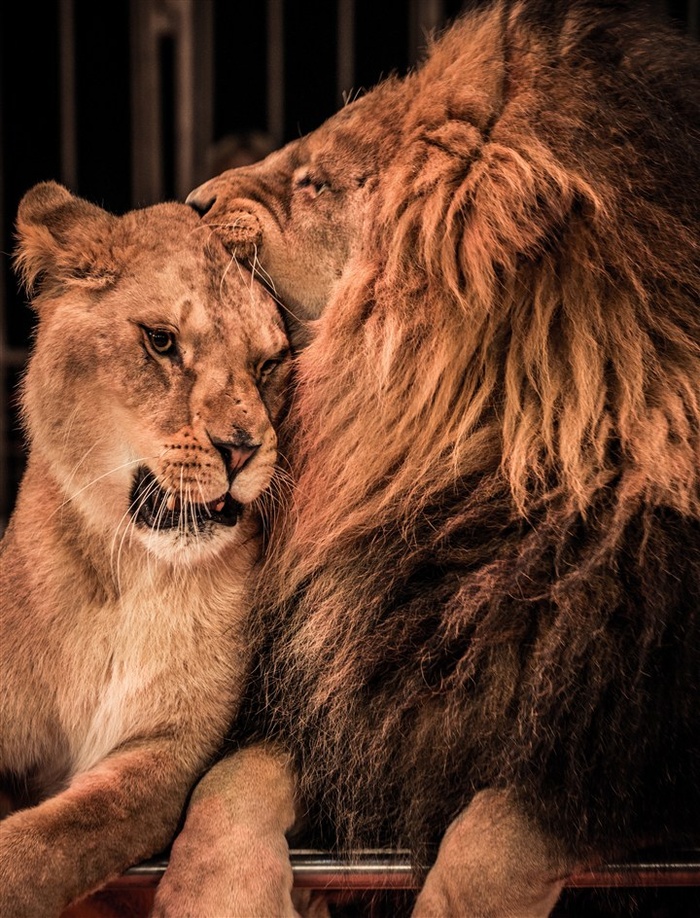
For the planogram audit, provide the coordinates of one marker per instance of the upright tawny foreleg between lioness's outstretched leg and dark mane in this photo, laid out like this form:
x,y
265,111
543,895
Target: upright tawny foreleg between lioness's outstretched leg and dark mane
x,y
231,857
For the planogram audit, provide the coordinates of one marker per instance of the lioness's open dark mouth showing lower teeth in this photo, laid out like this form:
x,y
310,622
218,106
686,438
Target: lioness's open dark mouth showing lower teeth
x,y
158,509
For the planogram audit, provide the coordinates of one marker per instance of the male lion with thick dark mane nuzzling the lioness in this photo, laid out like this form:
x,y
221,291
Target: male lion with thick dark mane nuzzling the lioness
x,y
483,600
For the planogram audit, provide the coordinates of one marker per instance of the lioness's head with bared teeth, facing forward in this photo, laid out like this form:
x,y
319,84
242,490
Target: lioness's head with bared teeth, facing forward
x,y
157,371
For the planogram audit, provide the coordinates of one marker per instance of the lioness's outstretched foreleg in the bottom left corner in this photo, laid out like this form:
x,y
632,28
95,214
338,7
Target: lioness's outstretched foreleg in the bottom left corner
x,y
121,811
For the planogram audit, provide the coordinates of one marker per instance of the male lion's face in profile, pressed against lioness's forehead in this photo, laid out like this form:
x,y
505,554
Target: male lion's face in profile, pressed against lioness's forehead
x,y
297,215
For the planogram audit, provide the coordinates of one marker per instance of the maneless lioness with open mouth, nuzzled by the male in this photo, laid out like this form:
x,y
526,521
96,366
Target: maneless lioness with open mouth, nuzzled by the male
x,y
150,401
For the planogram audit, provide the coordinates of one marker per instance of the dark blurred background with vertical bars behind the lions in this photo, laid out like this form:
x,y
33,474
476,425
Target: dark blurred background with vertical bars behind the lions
x,y
129,102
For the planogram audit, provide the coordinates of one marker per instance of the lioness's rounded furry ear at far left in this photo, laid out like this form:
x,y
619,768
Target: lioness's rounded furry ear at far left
x,y
62,240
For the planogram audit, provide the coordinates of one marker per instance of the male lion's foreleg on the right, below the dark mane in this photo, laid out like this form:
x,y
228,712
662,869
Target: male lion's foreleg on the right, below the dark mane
x,y
492,863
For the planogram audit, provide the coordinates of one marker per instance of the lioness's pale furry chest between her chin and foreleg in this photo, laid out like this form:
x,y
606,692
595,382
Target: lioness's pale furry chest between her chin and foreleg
x,y
165,656
